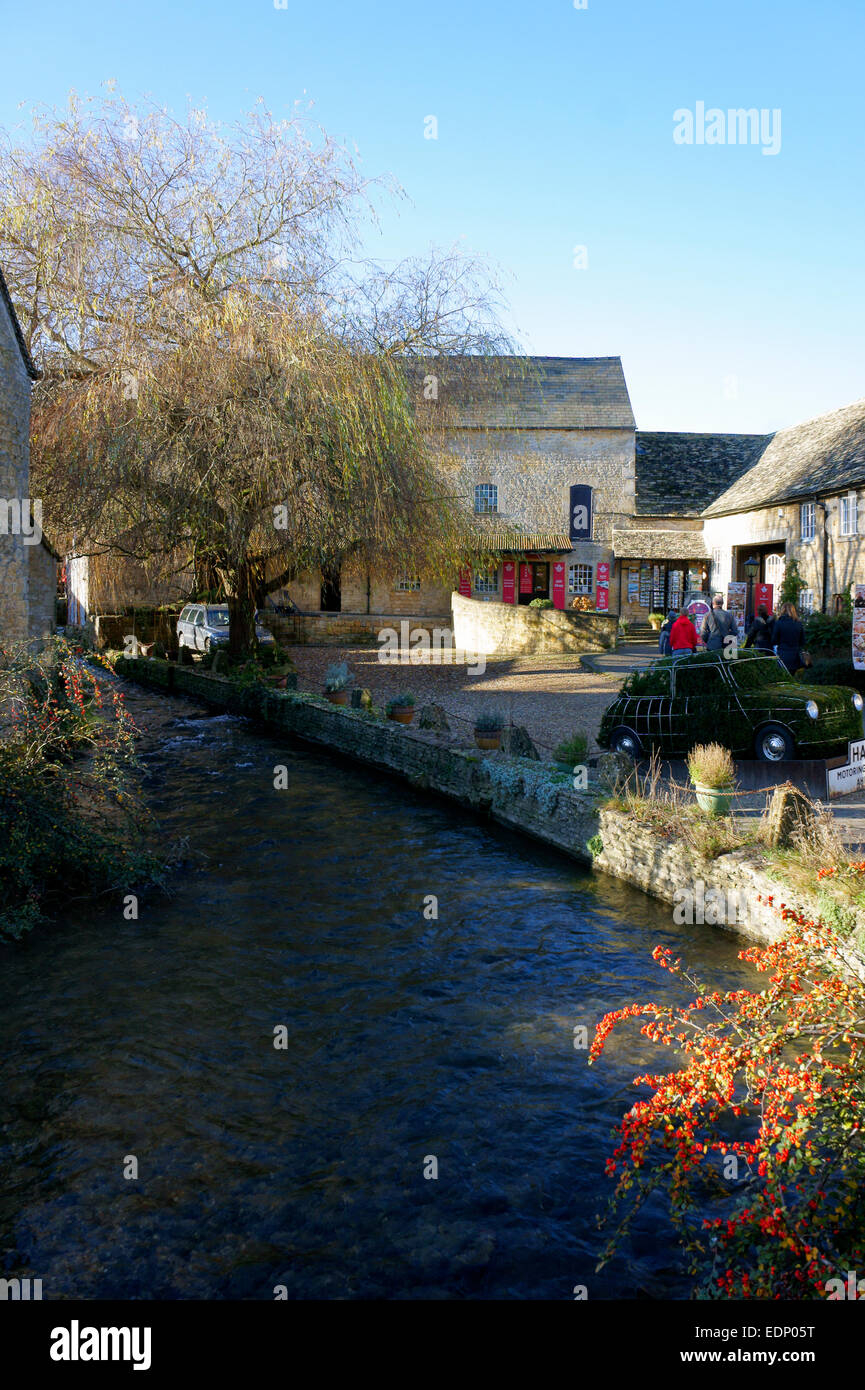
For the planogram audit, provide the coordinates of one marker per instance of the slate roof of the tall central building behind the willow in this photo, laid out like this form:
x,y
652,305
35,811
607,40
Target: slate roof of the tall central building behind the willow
x,y
535,393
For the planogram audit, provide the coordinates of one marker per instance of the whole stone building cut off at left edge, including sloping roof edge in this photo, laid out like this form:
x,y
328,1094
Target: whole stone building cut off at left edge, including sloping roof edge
x,y
29,566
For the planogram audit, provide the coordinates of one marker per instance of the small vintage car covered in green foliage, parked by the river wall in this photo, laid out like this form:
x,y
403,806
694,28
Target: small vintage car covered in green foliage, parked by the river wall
x,y
750,704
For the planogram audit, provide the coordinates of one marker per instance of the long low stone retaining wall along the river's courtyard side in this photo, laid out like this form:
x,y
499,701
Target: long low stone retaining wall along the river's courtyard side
x,y
738,892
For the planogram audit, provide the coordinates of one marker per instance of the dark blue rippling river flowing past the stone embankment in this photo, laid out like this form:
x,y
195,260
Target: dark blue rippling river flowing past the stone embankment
x,y
408,1039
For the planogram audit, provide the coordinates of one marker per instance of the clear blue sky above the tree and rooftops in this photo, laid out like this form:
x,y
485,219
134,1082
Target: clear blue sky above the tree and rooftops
x,y
556,130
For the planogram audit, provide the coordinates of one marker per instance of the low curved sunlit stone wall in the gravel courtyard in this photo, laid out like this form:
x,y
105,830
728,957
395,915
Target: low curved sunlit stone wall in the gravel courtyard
x,y
515,629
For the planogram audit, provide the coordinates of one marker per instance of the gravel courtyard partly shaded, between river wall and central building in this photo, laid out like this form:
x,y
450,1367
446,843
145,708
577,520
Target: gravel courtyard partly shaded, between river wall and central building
x,y
550,696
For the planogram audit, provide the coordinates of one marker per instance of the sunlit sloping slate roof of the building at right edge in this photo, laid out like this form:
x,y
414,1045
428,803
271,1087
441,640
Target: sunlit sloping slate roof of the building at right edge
x,y
821,457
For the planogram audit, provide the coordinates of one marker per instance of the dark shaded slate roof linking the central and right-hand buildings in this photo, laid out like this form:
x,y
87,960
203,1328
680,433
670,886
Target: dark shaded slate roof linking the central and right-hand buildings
x,y
681,475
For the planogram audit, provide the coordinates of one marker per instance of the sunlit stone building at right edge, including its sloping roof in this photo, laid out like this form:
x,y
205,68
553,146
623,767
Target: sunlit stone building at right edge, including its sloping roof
x,y
800,498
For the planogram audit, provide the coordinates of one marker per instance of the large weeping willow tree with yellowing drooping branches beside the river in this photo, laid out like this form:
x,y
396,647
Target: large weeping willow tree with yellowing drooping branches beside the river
x,y
226,384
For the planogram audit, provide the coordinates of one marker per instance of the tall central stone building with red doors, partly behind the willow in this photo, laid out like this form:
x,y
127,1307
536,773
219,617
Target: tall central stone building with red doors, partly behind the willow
x,y
533,430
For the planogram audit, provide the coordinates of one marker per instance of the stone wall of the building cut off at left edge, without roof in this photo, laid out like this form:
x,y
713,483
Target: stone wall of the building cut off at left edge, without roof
x,y
15,483
